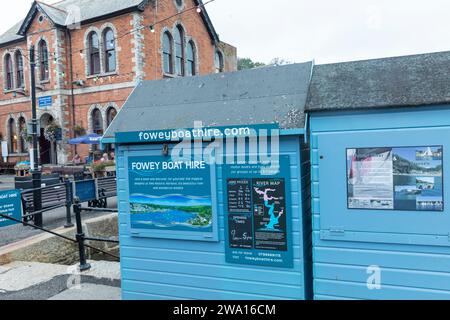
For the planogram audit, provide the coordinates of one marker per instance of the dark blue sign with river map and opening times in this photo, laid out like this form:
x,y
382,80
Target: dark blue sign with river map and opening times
x,y
258,216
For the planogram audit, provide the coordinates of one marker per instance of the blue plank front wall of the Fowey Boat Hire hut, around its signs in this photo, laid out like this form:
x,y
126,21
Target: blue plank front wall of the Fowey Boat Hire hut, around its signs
x,y
172,269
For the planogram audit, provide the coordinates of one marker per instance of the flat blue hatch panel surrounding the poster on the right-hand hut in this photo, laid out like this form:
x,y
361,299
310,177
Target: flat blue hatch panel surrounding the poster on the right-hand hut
x,y
333,184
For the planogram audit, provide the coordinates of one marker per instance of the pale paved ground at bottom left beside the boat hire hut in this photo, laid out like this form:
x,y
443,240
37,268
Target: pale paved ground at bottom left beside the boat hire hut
x,y
39,281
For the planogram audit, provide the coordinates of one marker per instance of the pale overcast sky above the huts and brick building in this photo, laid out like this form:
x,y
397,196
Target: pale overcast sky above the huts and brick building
x,y
323,30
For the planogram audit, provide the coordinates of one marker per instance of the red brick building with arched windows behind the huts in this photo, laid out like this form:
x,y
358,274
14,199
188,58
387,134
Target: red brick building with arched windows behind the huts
x,y
90,55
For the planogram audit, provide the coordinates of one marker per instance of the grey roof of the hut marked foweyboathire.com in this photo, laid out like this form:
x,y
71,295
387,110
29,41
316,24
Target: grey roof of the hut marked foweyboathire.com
x,y
260,96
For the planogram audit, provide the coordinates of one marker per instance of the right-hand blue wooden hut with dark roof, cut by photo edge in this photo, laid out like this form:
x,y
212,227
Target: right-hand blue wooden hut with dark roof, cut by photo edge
x,y
380,143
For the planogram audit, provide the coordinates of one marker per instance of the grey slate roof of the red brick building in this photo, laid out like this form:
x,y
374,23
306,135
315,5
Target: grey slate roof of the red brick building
x,y
89,10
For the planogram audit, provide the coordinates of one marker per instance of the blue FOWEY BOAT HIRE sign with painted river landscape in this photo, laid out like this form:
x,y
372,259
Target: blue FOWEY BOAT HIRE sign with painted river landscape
x,y
171,196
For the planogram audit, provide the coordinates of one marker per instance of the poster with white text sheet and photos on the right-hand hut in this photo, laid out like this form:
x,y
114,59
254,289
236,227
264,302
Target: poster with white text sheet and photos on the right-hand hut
x,y
403,179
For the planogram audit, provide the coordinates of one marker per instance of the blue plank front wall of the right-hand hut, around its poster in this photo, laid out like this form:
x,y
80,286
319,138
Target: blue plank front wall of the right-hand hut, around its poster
x,y
413,266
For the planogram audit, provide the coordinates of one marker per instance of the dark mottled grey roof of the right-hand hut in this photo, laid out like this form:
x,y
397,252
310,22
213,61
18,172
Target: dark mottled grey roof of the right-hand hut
x,y
391,82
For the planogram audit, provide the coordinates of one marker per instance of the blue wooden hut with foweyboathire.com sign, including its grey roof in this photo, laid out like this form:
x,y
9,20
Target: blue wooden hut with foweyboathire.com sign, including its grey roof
x,y
193,229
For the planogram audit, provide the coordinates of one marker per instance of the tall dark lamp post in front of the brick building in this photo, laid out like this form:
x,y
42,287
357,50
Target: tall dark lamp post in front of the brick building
x,y
36,173
